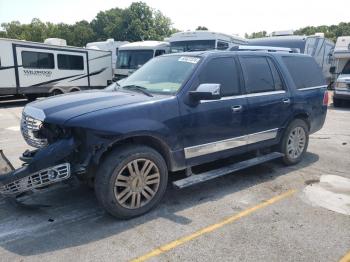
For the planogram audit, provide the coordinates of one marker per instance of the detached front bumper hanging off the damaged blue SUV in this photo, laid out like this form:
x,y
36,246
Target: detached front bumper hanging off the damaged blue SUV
x,y
42,167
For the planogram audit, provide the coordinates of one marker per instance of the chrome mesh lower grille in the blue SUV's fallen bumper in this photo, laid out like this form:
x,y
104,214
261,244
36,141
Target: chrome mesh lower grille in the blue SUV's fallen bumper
x,y
38,179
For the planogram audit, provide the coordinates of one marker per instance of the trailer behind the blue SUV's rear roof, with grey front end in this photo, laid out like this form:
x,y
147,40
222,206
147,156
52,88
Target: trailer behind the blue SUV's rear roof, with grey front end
x,y
316,46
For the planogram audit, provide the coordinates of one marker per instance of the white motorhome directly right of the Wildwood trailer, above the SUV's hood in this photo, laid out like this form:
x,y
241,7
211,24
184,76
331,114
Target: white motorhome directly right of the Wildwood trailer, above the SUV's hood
x,y
132,56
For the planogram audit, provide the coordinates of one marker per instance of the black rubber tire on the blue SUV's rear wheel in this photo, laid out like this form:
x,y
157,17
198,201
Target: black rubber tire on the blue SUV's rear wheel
x,y
288,159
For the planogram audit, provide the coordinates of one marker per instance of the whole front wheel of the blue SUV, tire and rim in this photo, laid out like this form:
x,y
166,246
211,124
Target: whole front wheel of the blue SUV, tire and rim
x,y
131,181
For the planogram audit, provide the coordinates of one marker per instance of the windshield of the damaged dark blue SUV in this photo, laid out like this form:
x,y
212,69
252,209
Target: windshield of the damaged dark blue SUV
x,y
164,74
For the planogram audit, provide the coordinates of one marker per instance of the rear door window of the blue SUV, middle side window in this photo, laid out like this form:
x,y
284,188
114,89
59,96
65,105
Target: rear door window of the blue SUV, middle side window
x,y
257,74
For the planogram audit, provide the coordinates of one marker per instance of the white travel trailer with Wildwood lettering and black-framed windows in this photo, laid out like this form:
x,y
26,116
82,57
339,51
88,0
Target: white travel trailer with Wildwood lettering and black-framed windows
x,y
38,69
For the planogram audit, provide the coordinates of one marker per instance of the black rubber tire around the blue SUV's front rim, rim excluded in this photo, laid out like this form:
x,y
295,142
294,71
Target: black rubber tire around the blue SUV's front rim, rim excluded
x,y
113,165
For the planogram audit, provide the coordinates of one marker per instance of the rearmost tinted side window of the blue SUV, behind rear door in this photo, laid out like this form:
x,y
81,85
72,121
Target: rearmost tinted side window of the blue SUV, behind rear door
x,y
304,71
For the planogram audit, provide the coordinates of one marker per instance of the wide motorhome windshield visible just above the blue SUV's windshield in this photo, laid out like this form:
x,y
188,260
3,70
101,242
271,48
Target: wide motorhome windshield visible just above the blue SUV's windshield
x,y
196,45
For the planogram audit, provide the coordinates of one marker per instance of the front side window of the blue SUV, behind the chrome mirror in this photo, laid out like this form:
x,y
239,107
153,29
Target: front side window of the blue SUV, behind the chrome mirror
x,y
222,71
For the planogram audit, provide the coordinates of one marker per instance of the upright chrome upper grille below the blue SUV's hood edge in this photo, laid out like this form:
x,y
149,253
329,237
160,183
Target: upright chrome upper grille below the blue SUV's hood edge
x,y
30,128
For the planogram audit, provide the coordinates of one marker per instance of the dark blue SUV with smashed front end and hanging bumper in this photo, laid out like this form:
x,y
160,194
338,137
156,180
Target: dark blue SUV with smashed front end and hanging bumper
x,y
176,112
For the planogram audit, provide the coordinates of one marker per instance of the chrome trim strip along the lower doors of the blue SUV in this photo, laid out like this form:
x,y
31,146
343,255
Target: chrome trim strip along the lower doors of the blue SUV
x,y
230,143
